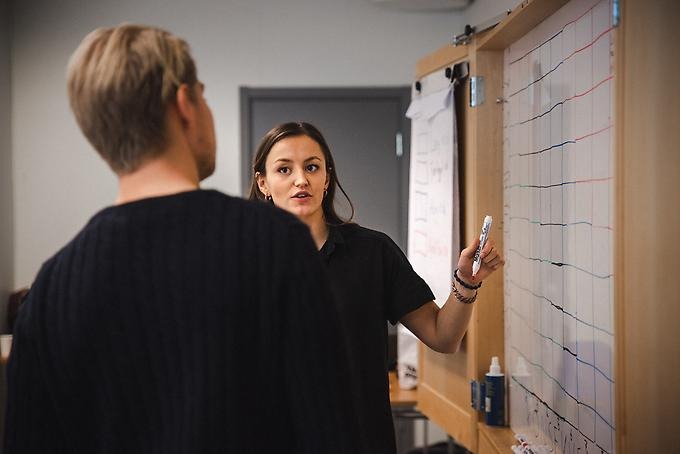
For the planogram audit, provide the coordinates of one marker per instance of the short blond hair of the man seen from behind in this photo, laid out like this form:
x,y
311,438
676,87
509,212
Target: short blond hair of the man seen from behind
x,y
120,82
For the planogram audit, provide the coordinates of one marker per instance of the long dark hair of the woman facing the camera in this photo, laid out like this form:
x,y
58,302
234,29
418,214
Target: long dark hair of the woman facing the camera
x,y
294,129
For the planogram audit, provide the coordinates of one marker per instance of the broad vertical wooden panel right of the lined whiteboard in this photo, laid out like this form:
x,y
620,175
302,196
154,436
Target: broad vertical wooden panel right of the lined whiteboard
x,y
648,253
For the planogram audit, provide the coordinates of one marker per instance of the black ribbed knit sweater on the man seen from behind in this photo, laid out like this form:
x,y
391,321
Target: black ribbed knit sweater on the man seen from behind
x,y
191,323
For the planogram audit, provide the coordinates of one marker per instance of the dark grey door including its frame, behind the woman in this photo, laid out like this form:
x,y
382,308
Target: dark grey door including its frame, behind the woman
x,y
368,136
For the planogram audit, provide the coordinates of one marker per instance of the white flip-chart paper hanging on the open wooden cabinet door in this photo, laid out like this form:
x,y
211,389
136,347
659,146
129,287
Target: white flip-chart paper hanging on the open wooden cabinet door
x,y
433,215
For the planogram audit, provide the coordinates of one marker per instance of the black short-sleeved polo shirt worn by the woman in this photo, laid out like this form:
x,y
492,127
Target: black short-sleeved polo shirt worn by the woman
x,y
373,282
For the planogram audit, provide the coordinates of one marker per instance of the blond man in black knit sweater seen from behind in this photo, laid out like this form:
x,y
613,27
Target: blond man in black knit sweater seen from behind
x,y
169,323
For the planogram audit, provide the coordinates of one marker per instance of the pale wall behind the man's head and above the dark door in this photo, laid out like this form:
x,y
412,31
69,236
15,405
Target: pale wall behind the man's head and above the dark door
x,y
59,181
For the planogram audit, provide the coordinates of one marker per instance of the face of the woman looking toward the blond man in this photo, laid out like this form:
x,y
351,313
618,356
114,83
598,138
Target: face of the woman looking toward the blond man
x,y
296,177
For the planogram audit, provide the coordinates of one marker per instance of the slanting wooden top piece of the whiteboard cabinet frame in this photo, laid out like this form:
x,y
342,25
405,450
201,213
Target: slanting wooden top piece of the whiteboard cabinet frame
x,y
523,18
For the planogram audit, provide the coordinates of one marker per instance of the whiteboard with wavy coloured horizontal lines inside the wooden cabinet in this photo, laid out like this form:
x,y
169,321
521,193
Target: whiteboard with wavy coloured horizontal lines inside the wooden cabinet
x,y
558,213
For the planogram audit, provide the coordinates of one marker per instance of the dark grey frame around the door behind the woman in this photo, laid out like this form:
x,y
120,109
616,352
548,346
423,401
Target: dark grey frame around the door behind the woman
x,y
249,95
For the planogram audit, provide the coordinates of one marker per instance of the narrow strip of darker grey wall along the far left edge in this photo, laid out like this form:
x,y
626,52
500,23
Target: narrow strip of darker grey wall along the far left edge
x,y
6,203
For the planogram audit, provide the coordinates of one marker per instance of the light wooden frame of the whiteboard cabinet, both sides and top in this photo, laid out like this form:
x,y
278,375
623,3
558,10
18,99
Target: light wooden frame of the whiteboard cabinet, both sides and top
x,y
646,248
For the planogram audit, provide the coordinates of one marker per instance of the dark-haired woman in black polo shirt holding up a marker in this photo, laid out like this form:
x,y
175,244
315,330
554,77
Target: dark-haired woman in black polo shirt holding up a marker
x,y
371,278
